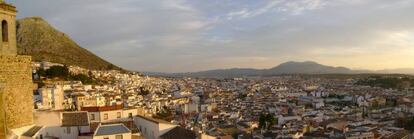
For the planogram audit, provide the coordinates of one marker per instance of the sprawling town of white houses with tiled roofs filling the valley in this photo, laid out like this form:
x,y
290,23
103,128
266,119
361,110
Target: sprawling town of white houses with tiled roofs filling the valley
x,y
286,106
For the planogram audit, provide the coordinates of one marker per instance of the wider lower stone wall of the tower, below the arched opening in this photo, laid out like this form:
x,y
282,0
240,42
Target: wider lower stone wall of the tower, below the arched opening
x,y
18,90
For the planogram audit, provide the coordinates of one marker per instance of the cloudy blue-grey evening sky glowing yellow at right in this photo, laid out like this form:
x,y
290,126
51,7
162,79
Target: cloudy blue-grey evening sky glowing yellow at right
x,y
196,35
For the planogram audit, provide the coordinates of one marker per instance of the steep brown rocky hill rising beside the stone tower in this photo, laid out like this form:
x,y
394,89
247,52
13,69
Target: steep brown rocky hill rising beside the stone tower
x,y
35,37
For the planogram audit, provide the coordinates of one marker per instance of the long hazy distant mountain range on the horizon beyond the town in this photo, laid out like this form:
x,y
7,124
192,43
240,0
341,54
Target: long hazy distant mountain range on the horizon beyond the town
x,y
307,67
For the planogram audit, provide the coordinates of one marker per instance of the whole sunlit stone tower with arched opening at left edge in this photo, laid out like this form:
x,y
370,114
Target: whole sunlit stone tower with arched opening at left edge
x,y
16,85
